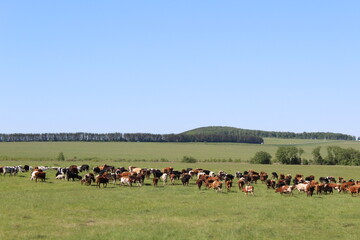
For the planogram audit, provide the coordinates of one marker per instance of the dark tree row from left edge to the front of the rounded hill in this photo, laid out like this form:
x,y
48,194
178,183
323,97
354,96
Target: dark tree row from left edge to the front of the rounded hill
x,y
128,137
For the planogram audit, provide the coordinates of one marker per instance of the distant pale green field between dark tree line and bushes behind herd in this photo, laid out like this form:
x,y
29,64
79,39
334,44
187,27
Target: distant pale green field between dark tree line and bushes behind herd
x,y
172,152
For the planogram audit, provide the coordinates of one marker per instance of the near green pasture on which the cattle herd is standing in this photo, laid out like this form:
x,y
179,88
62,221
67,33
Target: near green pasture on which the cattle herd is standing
x,y
59,209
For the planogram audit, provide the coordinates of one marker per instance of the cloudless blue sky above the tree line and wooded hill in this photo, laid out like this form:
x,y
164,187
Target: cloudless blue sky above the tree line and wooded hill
x,y
171,66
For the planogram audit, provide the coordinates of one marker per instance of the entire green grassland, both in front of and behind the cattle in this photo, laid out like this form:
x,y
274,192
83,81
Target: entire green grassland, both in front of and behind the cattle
x,y
58,209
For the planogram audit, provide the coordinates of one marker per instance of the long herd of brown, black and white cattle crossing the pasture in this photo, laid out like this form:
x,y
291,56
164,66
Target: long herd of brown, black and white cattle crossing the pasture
x,y
102,175
